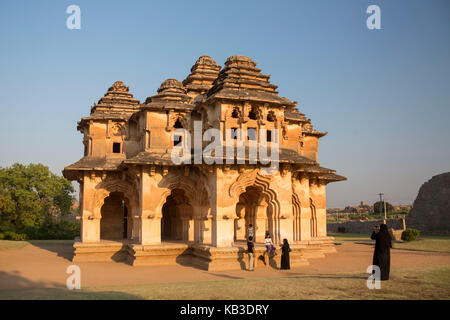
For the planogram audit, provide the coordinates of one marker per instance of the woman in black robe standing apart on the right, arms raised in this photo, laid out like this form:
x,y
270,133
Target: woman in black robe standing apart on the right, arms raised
x,y
382,254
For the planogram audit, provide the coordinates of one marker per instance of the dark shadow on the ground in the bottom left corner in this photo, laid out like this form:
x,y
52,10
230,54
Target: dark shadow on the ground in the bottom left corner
x,y
22,288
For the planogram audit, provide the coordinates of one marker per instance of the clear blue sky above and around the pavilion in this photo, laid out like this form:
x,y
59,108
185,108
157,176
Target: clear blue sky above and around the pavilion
x,y
383,95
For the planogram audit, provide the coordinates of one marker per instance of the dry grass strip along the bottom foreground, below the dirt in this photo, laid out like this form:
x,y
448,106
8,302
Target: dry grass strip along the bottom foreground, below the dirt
x,y
409,283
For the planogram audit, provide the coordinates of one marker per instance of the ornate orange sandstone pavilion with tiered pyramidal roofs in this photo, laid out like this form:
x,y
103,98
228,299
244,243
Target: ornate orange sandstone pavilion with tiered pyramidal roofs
x,y
131,190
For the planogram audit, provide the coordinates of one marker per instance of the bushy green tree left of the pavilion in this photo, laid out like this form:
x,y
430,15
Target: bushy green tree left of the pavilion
x,y
31,194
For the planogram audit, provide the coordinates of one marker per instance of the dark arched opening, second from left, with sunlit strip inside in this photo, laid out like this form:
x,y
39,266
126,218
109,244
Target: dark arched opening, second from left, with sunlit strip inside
x,y
177,217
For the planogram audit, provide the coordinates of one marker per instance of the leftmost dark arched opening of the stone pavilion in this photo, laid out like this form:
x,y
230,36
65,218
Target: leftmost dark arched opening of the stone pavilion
x,y
114,221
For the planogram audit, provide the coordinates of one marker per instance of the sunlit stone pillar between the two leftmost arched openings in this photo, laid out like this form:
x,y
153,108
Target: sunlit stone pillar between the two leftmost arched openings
x,y
150,221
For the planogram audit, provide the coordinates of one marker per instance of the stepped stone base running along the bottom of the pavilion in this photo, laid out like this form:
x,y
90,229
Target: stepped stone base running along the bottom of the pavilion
x,y
199,256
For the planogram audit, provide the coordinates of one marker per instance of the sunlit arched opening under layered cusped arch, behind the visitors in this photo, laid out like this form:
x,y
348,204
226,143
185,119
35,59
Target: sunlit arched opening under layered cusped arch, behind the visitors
x,y
254,208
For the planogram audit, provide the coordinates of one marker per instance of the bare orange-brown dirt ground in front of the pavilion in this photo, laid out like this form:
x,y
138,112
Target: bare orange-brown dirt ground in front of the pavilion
x,y
44,266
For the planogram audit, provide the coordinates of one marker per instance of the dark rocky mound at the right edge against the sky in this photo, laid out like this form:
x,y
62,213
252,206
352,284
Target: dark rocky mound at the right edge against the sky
x,y
431,209
